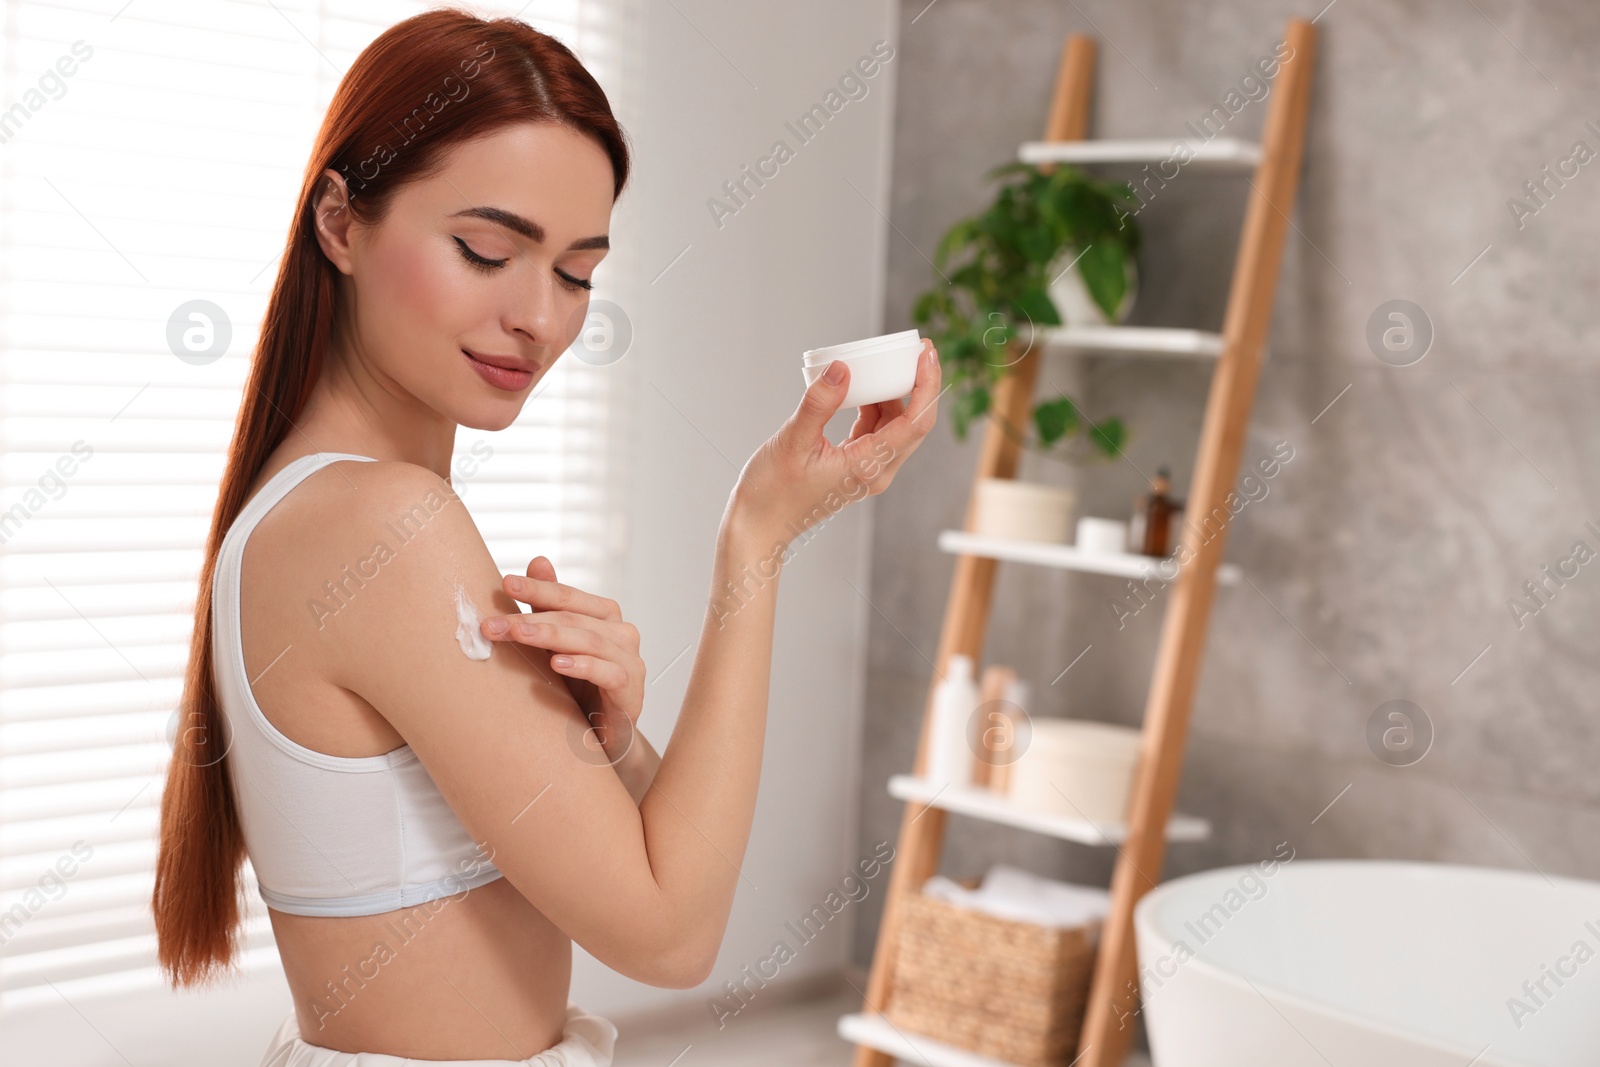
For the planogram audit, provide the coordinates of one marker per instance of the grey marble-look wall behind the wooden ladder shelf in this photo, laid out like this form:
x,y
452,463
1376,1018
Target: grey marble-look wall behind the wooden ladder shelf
x,y
1386,553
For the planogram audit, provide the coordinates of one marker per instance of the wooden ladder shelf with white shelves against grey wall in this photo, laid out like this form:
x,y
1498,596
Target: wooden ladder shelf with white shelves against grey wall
x,y
1276,167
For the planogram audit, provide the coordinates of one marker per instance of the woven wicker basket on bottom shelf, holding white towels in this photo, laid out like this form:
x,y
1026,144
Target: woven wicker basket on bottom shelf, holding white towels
x,y
993,986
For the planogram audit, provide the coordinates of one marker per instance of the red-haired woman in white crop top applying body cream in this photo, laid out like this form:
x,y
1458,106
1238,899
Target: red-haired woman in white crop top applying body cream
x,y
412,780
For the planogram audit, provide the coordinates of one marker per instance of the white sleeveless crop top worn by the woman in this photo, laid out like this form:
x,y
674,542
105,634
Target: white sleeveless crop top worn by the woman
x,y
327,836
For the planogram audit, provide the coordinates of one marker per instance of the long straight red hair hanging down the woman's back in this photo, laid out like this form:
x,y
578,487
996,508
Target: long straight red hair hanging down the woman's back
x,y
420,89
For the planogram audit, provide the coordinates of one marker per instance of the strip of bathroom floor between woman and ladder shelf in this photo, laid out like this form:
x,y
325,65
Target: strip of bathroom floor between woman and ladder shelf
x,y
796,1034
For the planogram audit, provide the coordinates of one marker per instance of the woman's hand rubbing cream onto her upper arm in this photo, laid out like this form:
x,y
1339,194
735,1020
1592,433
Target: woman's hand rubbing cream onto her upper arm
x,y
596,652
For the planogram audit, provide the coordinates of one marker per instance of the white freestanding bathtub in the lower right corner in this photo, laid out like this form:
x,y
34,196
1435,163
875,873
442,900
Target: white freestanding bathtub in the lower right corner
x,y
1362,964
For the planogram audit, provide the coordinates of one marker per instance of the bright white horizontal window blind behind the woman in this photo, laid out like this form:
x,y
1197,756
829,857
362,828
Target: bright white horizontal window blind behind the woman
x,y
150,156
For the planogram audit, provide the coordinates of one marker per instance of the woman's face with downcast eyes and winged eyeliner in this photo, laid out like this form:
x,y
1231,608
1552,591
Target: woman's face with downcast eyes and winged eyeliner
x,y
487,258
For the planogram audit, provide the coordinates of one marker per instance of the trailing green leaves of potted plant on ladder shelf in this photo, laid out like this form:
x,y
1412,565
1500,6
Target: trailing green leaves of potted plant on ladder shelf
x,y
999,266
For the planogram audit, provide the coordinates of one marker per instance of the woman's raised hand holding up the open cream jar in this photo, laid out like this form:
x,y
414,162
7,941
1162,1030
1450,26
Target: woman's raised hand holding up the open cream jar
x,y
799,478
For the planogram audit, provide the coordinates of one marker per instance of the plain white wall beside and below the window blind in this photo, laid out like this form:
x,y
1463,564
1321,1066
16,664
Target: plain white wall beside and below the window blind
x,y
716,369
